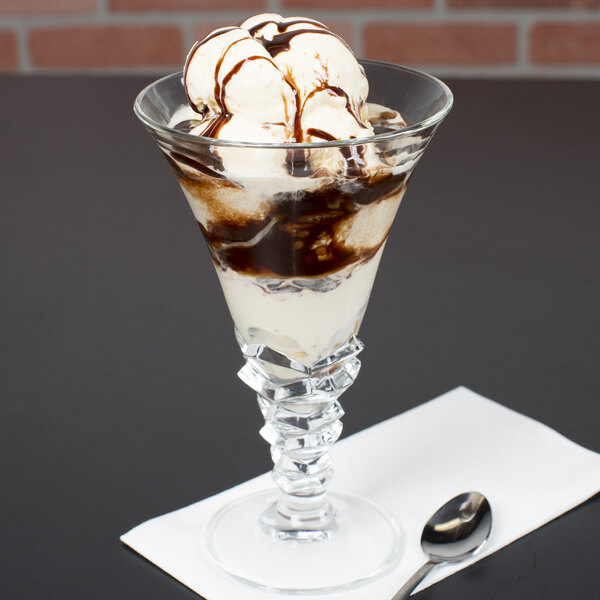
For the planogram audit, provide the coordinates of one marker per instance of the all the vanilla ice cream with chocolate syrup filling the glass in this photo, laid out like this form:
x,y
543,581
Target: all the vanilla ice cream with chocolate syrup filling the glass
x,y
295,232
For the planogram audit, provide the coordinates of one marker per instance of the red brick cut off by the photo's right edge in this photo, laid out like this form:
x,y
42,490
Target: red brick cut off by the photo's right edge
x,y
565,43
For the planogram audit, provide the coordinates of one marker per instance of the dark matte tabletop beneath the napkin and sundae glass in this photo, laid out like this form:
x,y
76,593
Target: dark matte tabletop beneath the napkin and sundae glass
x,y
118,394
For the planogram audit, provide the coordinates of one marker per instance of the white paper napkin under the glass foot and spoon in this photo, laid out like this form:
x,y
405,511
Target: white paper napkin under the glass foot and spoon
x,y
452,444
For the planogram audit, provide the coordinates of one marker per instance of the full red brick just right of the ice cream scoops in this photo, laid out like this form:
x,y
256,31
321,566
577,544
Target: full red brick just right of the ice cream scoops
x,y
442,43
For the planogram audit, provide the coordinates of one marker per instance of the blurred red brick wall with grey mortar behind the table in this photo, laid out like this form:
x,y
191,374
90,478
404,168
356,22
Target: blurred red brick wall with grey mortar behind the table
x,y
449,37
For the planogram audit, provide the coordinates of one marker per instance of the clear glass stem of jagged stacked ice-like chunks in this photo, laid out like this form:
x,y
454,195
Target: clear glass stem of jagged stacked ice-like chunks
x,y
302,421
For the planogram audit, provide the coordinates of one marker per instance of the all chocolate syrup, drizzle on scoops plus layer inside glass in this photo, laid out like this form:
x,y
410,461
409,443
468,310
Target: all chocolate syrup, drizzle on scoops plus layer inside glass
x,y
300,237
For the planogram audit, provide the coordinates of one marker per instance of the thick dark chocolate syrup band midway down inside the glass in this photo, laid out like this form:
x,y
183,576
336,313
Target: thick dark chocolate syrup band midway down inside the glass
x,y
300,240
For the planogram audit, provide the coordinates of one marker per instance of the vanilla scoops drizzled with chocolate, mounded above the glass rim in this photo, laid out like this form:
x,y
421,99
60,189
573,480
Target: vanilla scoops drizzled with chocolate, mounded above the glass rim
x,y
279,80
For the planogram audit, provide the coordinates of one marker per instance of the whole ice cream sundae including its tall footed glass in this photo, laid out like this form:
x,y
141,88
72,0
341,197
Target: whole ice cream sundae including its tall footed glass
x,y
294,178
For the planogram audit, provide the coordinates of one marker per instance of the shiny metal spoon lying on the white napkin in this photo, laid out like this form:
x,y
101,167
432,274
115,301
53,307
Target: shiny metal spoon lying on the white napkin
x,y
455,532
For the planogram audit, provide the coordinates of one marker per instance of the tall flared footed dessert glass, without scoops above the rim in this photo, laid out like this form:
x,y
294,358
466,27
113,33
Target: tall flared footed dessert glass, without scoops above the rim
x,y
296,251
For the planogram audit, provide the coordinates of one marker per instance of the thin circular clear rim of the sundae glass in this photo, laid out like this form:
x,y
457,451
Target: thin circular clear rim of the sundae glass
x,y
407,131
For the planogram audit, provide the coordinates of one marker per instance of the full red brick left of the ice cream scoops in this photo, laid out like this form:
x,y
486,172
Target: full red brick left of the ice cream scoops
x,y
106,46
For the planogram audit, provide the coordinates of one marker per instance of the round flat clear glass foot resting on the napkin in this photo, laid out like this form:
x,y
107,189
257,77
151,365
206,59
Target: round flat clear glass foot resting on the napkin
x,y
364,544
